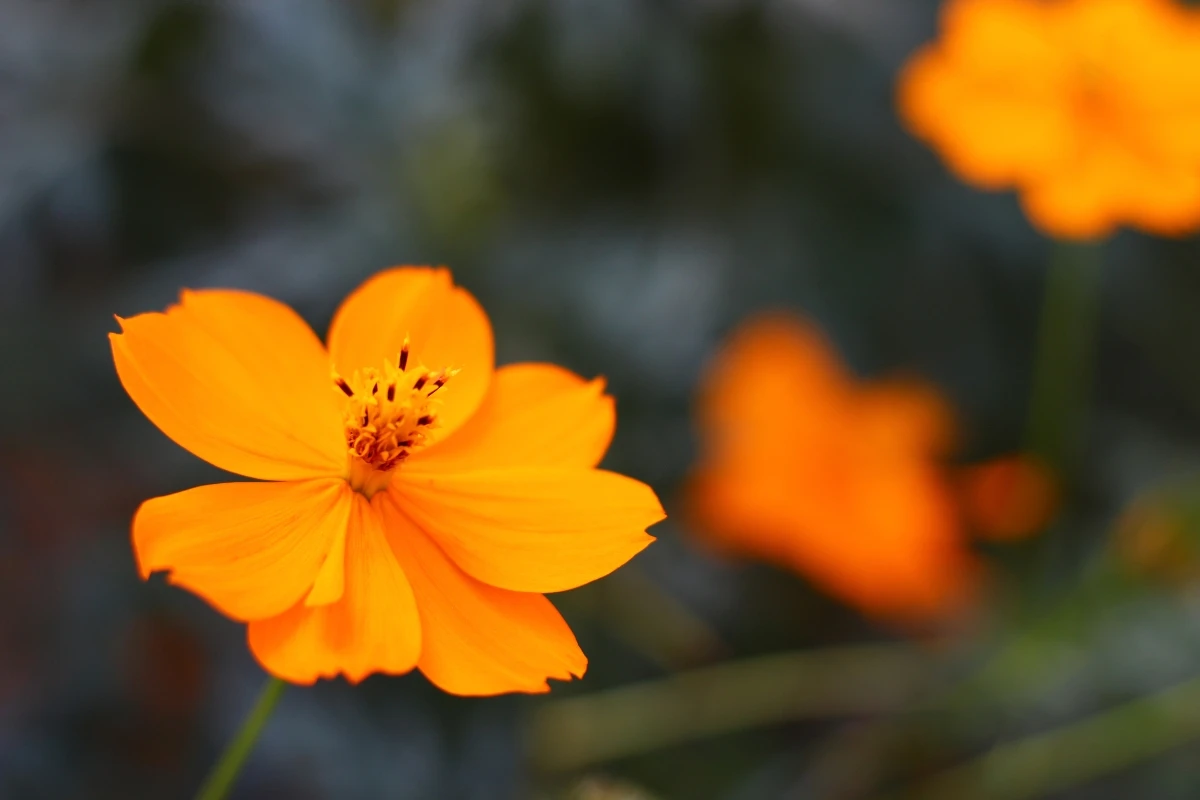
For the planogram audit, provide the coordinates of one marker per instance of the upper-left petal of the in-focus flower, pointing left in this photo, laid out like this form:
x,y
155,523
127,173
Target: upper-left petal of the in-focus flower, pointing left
x,y
238,380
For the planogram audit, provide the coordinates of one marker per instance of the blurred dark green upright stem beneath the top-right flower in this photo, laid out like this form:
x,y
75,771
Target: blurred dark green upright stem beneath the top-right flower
x,y
1063,371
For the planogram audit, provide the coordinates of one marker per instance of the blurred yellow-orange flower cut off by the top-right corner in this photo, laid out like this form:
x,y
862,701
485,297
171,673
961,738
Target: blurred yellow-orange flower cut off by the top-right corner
x,y
1089,109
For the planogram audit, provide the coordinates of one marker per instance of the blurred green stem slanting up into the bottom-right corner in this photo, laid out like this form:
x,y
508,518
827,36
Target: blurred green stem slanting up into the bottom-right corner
x,y
1079,753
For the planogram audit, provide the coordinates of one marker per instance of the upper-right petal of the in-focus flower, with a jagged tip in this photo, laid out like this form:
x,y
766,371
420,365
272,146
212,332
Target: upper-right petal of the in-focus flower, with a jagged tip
x,y
535,416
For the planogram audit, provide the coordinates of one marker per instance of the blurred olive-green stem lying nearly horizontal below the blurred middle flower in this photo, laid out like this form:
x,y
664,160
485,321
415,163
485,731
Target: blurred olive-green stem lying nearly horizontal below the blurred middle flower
x,y
814,684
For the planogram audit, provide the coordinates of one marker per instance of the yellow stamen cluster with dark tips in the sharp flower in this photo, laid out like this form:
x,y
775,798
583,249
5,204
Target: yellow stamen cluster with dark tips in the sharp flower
x,y
389,412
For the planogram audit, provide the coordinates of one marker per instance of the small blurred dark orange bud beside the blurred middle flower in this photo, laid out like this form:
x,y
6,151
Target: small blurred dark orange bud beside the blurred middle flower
x,y
1009,498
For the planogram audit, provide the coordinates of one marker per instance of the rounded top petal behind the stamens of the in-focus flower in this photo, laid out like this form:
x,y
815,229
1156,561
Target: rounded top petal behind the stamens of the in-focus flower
x,y
445,324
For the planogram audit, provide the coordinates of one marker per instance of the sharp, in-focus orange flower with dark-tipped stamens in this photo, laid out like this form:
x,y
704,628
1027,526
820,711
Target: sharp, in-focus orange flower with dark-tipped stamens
x,y
419,502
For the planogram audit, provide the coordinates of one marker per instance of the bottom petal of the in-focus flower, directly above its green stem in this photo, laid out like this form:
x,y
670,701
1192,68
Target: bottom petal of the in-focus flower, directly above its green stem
x,y
374,628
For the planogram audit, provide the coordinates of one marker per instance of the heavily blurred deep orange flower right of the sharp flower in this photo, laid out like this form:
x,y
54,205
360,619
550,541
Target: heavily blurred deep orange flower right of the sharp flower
x,y
837,480
